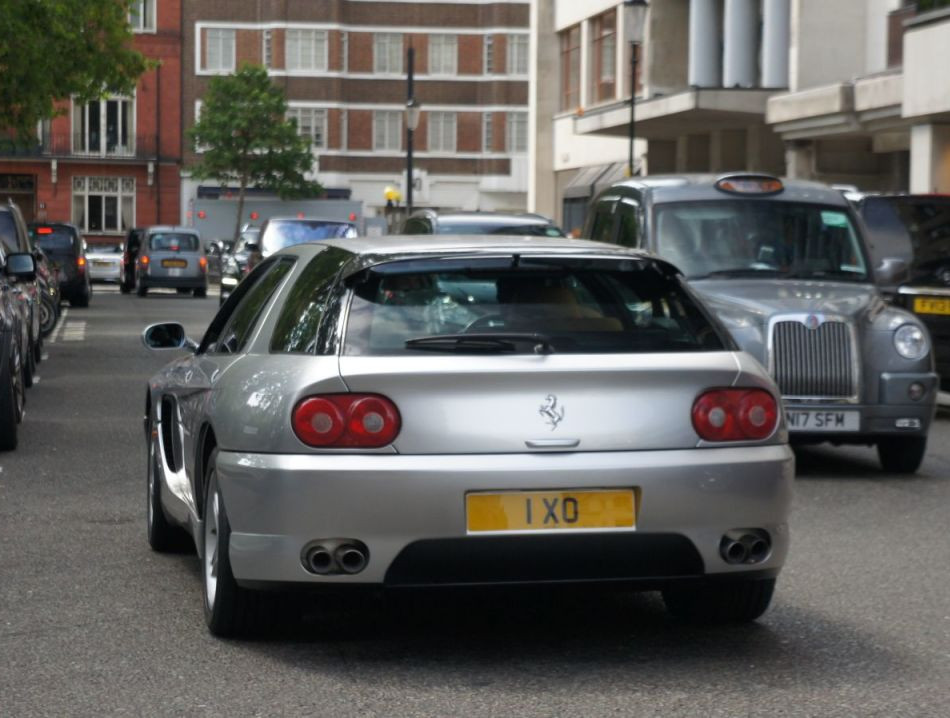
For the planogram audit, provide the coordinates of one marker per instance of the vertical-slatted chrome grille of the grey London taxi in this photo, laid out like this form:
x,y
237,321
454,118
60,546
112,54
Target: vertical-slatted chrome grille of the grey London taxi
x,y
815,362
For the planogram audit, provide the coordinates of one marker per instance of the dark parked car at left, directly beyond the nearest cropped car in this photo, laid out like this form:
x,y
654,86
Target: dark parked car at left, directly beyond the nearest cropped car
x,y
15,239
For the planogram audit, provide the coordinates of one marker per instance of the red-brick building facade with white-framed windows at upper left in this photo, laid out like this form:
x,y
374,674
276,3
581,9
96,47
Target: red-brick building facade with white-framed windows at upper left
x,y
111,164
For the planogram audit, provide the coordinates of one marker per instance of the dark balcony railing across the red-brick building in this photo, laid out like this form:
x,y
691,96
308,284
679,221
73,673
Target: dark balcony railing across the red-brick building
x,y
90,146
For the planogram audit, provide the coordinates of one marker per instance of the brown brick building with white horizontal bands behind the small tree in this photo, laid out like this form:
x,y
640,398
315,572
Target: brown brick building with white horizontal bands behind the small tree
x,y
342,65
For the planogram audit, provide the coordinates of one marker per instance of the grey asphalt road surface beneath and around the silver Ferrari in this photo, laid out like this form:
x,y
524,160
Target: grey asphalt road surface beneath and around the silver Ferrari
x,y
92,622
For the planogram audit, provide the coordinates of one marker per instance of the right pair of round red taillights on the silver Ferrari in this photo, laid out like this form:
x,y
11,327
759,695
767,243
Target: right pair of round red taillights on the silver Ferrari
x,y
735,415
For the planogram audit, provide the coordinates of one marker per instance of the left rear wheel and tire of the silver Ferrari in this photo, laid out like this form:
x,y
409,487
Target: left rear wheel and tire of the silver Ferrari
x,y
230,610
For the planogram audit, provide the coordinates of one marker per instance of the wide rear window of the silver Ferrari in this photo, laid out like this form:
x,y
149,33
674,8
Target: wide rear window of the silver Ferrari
x,y
578,306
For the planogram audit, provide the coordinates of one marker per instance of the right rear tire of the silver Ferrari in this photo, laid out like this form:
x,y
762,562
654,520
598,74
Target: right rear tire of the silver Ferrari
x,y
731,601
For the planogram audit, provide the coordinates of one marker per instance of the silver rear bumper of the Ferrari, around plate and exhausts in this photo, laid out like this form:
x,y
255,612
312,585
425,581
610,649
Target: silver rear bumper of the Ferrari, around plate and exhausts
x,y
409,511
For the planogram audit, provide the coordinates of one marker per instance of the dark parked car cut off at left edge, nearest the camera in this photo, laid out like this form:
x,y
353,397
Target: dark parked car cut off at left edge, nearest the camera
x,y
15,269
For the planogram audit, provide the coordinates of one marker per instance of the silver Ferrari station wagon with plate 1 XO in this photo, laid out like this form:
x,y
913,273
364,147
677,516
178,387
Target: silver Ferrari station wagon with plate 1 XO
x,y
468,411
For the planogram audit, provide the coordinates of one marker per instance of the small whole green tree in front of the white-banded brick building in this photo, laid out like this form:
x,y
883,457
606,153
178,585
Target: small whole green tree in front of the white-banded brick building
x,y
243,133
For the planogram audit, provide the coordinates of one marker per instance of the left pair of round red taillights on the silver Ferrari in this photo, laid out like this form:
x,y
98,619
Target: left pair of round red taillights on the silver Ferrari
x,y
346,421
